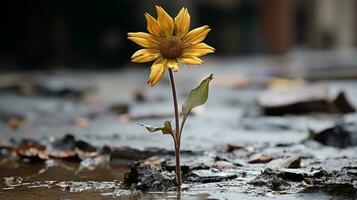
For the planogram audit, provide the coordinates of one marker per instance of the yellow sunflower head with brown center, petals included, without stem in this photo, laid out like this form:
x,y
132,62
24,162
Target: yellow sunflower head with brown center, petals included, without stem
x,y
169,43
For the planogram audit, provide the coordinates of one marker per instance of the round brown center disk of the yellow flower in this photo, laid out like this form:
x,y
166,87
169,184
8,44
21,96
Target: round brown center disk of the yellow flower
x,y
171,47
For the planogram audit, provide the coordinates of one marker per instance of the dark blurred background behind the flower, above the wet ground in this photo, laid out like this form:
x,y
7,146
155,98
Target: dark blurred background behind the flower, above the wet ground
x,y
43,34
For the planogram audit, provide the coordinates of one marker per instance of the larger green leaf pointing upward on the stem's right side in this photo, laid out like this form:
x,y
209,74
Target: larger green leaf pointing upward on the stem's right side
x,y
196,97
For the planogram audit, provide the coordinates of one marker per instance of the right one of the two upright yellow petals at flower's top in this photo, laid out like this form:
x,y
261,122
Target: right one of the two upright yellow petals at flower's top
x,y
182,22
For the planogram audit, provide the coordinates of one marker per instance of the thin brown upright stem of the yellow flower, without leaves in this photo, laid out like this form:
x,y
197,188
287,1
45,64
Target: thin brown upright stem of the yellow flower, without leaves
x,y
177,132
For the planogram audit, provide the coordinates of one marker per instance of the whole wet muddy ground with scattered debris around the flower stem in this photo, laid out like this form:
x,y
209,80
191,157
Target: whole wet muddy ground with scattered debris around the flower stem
x,y
247,142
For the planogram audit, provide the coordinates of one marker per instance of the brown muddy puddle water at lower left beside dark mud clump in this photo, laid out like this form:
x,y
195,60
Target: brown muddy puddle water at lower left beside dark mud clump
x,y
57,180
